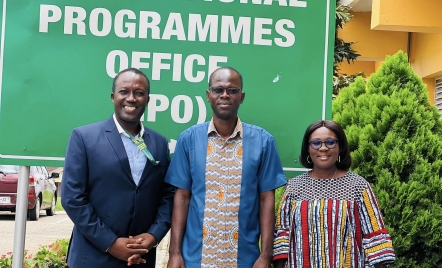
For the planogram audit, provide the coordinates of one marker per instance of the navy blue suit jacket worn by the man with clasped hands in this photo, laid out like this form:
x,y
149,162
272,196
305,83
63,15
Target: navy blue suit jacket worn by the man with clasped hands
x,y
102,199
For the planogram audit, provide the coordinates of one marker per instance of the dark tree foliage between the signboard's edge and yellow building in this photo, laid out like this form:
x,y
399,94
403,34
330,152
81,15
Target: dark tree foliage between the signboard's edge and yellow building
x,y
343,51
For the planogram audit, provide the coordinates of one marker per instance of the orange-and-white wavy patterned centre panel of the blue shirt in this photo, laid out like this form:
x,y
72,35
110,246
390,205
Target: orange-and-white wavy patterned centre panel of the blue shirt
x,y
223,187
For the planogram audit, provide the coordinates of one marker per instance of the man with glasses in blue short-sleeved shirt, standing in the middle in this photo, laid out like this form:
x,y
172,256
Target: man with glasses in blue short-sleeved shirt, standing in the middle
x,y
225,172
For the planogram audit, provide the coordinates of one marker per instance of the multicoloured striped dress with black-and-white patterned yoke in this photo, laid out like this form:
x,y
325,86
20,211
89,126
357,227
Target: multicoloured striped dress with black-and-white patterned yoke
x,y
331,223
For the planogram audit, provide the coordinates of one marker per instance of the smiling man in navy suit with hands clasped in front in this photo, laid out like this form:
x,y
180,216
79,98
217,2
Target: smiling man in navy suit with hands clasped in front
x,y
113,184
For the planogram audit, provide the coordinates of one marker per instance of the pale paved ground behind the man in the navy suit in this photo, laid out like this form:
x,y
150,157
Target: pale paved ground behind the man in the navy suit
x,y
47,230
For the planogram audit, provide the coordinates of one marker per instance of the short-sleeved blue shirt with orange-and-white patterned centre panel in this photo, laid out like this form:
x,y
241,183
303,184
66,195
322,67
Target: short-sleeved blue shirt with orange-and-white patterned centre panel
x,y
225,178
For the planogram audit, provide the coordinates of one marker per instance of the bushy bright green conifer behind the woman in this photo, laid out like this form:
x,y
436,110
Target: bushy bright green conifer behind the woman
x,y
395,138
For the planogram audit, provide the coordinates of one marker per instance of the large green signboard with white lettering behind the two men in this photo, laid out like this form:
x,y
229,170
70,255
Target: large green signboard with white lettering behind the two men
x,y
58,59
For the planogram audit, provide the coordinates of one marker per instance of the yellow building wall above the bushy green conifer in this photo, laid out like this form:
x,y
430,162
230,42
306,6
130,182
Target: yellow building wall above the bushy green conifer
x,y
385,30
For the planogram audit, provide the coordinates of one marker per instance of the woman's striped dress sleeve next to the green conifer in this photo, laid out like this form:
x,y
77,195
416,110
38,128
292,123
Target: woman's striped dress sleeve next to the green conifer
x,y
376,240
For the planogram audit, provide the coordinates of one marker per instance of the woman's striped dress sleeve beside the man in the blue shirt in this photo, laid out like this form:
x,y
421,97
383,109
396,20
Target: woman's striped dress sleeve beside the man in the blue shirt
x,y
281,241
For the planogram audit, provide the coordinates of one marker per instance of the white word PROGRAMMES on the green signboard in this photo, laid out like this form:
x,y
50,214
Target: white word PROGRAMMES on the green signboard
x,y
124,24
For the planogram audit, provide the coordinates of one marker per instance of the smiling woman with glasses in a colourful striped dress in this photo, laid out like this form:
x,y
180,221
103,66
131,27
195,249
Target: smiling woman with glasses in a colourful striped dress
x,y
329,217
